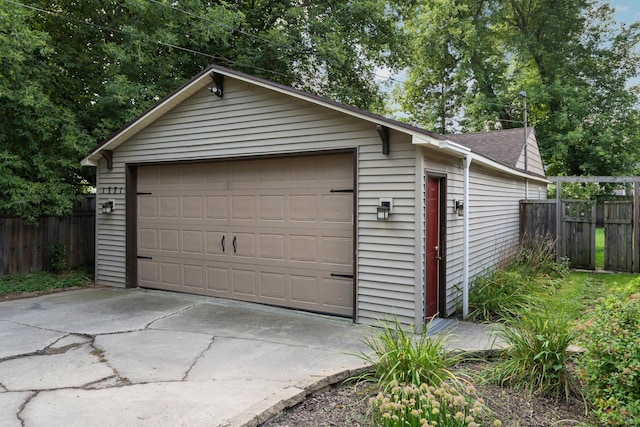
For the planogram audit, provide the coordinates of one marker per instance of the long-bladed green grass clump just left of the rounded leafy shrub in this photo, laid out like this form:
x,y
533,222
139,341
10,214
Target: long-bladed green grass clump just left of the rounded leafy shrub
x,y
536,358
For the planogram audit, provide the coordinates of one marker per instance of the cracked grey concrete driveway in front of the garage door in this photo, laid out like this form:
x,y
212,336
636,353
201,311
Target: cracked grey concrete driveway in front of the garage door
x,y
109,357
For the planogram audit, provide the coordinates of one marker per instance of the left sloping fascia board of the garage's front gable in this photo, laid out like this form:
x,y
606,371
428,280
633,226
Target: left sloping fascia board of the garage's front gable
x,y
146,119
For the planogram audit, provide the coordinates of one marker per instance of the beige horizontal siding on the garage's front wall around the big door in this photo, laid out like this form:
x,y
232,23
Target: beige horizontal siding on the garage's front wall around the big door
x,y
253,121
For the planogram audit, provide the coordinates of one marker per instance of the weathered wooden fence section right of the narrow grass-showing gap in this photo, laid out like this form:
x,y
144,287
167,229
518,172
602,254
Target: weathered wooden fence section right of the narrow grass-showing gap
x,y
618,230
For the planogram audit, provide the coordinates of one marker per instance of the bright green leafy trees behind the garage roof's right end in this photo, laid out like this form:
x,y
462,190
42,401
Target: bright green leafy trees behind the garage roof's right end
x,y
570,57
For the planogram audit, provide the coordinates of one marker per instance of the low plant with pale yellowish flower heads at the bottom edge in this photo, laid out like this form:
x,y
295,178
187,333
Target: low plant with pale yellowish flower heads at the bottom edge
x,y
421,406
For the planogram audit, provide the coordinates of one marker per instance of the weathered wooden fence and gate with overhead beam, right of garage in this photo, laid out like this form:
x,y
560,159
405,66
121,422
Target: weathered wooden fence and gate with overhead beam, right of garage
x,y
573,226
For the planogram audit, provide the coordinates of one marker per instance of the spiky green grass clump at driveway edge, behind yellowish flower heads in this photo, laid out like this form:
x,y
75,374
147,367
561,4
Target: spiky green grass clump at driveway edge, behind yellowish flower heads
x,y
407,357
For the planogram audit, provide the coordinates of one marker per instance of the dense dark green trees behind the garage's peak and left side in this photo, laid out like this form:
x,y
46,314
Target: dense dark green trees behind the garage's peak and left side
x,y
73,72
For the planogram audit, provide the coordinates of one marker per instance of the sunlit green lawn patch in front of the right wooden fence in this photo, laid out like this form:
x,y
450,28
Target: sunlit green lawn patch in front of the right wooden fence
x,y
580,290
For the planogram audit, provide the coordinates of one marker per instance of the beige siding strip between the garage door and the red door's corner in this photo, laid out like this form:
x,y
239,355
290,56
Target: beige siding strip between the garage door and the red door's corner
x,y
386,255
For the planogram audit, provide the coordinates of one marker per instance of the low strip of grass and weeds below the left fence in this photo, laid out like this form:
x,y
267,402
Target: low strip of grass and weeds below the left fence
x,y
43,281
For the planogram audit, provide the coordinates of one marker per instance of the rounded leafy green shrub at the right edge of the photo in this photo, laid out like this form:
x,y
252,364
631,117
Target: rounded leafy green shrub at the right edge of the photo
x,y
610,367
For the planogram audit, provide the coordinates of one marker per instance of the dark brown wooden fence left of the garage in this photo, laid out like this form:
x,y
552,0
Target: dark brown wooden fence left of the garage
x,y
51,242
